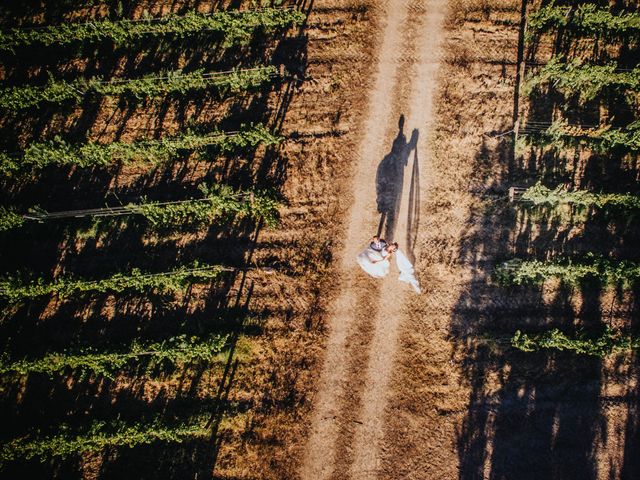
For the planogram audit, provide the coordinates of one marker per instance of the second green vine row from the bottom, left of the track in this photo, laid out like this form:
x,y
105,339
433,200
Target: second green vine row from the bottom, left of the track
x,y
175,351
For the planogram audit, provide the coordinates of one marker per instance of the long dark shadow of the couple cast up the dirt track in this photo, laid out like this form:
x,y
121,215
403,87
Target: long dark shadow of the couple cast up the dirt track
x,y
389,186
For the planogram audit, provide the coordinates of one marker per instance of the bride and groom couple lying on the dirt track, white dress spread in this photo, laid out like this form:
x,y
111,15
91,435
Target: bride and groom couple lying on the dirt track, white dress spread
x,y
375,261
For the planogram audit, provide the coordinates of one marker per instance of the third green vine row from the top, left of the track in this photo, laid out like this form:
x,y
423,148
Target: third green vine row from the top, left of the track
x,y
59,152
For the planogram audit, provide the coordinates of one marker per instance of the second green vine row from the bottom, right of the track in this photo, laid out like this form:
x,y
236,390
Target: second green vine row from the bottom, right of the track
x,y
534,272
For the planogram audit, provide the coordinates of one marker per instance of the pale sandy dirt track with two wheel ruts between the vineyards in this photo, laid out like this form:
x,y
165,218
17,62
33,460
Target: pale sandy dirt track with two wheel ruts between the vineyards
x,y
346,439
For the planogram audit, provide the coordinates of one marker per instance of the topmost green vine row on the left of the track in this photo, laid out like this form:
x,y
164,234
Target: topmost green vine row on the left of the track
x,y
234,26
